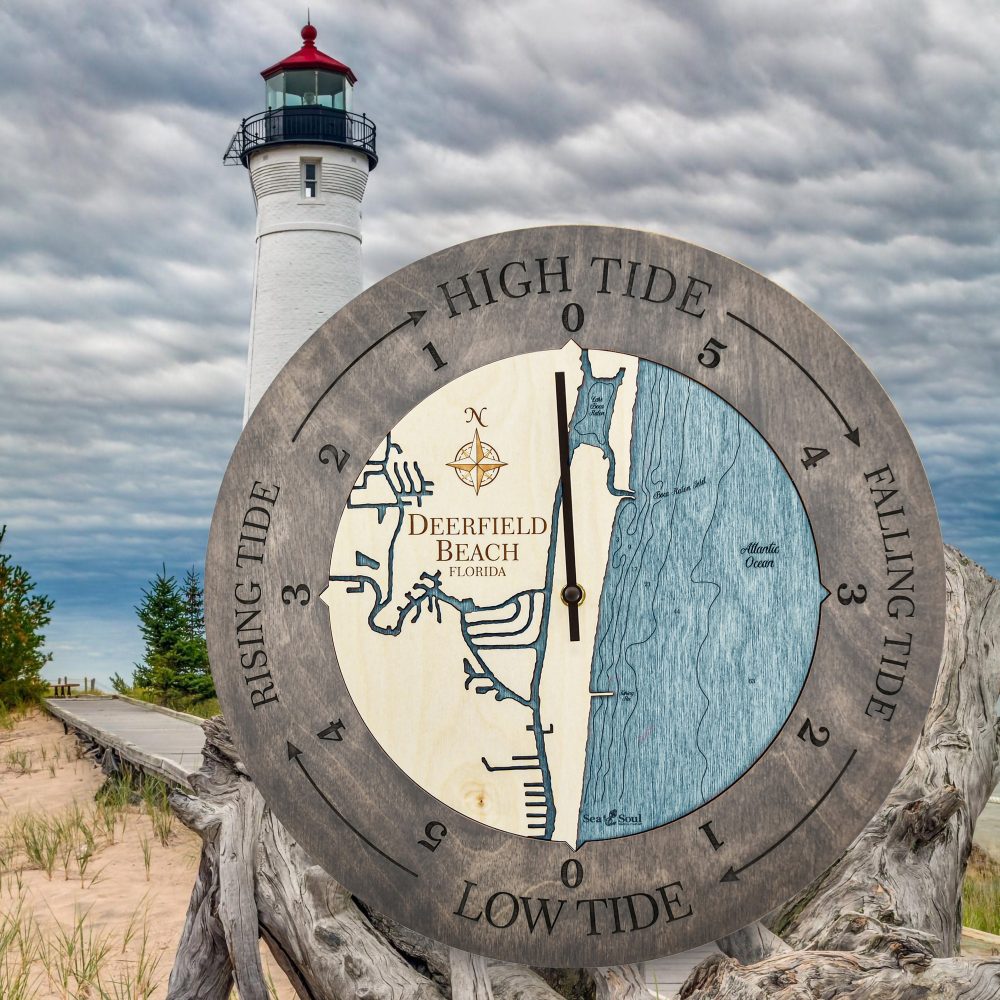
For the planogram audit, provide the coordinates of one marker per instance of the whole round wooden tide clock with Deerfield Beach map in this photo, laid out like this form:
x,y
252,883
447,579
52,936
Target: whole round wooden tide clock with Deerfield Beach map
x,y
575,595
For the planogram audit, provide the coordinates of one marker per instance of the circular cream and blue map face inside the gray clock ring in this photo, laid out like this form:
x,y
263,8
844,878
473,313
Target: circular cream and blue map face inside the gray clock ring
x,y
693,546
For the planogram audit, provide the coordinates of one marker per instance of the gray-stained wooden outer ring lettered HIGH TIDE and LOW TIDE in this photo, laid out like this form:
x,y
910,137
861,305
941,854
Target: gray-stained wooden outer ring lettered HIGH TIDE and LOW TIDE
x,y
704,874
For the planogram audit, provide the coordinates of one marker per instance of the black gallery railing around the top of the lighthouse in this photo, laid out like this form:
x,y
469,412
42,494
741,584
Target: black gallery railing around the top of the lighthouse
x,y
323,125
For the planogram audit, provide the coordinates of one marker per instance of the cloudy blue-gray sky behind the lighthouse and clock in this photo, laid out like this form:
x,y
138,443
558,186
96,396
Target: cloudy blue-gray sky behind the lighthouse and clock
x,y
848,150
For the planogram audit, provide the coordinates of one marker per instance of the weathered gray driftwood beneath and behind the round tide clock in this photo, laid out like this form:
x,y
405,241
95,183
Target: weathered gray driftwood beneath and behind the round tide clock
x,y
883,922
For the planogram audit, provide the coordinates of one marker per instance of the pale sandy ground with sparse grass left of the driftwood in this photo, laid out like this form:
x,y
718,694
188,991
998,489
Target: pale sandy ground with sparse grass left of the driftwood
x,y
102,917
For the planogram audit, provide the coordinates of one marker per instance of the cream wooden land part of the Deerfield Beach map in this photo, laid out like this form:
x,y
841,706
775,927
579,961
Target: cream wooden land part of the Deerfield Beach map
x,y
420,669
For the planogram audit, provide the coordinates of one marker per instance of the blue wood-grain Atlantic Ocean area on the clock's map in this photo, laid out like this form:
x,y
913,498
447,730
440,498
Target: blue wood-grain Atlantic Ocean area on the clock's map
x,y
708,612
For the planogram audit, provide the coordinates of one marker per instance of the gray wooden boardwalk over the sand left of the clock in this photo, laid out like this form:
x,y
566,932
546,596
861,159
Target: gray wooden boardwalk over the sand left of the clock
x,y
155,739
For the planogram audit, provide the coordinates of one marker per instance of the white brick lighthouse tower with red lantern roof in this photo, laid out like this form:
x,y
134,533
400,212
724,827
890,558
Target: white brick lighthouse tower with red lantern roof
x,y
308,155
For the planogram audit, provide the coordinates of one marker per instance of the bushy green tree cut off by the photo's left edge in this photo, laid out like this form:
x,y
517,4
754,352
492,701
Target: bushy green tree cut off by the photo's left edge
x,y
23,614
